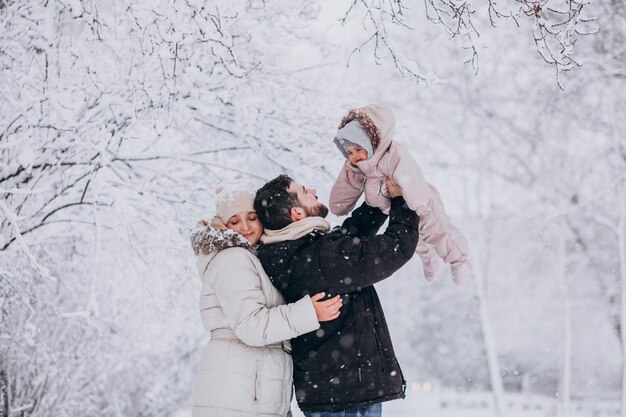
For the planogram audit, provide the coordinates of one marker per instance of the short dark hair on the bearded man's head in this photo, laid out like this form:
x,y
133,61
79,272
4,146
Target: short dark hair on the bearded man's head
x,y
273,203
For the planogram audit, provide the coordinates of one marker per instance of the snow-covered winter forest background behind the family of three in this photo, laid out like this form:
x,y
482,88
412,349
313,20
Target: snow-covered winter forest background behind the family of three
x,y
118,117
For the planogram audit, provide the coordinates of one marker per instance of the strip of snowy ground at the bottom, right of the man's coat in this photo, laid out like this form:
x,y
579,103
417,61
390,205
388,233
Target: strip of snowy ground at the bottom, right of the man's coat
x,y
479,404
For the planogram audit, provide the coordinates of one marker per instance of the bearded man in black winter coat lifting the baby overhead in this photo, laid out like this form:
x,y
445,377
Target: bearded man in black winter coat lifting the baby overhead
x,y
348,366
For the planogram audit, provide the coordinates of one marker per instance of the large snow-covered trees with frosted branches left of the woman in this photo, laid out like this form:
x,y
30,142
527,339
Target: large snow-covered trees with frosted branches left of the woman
x,y
117,121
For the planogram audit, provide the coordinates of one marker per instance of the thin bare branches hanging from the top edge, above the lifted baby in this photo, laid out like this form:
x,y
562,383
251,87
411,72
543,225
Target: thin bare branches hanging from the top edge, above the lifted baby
x,y
555,26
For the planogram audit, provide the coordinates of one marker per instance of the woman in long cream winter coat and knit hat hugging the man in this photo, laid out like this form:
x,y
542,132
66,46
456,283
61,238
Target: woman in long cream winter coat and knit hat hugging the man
x,y
245,369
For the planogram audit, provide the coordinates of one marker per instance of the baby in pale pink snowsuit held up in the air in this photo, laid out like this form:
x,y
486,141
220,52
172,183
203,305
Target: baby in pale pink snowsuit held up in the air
x,y
365,138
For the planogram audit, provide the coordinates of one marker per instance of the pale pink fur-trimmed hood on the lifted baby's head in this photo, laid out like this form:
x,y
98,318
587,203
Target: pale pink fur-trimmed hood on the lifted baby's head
x,y
378,121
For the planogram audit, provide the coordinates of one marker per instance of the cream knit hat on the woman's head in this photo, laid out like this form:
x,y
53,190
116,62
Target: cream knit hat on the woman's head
x,y
233,197
